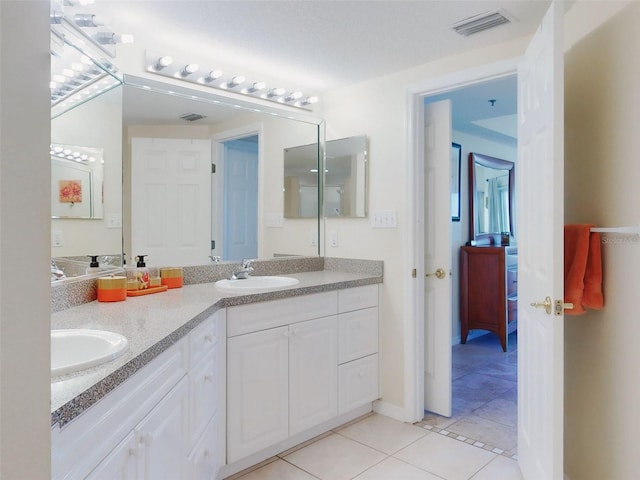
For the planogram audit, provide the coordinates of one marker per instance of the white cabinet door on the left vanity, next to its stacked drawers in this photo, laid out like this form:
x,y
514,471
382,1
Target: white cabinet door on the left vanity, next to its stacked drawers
x,y
163,437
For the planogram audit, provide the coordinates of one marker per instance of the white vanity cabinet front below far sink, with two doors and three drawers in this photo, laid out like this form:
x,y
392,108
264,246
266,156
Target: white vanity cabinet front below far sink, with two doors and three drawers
x,y
286,361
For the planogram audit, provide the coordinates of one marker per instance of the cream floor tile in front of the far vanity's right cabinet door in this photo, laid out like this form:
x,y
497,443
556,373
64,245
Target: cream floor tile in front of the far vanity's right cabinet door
x,y
335,458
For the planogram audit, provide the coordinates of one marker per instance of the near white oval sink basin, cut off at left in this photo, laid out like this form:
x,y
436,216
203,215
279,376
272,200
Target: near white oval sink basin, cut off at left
x,y
76,349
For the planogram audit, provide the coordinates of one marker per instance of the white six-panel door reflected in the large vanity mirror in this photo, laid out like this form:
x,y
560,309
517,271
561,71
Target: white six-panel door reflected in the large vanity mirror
x,y
171,200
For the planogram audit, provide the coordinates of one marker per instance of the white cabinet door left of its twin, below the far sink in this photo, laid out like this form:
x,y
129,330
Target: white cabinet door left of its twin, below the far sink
x,y
257,391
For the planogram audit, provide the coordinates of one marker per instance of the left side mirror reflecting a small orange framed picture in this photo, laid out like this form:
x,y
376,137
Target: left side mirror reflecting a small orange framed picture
x,y
92,226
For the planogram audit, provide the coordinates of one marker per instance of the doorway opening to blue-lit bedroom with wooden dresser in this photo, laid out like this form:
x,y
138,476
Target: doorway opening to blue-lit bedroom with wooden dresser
x,y
483,377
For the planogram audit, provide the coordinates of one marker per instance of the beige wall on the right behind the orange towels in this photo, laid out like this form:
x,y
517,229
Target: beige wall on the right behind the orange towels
x,y
602,391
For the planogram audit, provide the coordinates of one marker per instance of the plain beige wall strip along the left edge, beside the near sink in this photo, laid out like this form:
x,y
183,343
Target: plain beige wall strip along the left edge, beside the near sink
x,y
24,241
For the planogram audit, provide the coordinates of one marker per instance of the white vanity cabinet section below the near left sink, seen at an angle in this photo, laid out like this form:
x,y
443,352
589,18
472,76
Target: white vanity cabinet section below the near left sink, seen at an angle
x,y
166,421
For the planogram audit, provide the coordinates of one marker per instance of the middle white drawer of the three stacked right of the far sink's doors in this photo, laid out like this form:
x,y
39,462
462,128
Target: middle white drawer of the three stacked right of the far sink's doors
x,y
357,334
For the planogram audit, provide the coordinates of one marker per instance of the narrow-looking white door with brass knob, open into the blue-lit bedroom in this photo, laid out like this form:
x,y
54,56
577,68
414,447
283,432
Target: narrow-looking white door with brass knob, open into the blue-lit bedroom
x,y
437,258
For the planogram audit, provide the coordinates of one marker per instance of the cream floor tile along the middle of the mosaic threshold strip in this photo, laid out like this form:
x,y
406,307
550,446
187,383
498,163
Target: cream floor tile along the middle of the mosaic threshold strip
x,y
445,457
